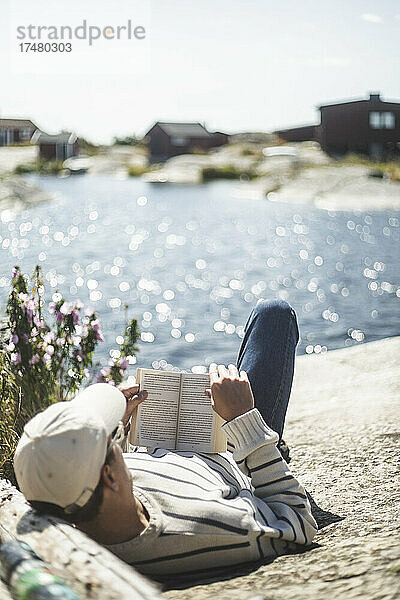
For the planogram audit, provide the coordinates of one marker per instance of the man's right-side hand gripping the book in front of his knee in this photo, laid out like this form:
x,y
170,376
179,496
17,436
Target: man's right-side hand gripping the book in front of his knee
x,y
230,391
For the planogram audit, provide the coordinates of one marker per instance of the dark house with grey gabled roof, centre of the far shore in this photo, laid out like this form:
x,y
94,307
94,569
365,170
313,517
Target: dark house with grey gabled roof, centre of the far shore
x,y
172,139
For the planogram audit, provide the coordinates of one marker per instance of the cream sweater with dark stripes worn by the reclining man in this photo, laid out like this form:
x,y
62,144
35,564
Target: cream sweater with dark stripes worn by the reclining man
x,y
213,512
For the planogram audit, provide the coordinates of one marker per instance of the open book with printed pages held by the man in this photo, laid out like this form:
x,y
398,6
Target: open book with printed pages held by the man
x,y
177,415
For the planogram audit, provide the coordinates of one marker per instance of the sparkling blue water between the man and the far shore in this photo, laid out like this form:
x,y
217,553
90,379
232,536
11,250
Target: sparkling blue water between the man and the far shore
x,y
191,261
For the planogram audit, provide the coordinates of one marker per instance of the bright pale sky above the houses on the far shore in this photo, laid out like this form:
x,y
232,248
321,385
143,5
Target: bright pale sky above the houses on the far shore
x,y
235,65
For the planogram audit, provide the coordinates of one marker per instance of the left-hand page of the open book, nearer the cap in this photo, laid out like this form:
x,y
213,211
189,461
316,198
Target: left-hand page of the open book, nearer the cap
x,y
157,416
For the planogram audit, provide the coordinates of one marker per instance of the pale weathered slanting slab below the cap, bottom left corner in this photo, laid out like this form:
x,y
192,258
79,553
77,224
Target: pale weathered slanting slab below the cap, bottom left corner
x,y
92,571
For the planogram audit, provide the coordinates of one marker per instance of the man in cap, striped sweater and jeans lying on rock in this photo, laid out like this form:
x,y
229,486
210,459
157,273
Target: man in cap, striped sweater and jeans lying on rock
x,y
170,512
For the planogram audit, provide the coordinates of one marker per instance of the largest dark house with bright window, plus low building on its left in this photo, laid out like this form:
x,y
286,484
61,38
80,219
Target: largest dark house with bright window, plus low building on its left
x,y
370,127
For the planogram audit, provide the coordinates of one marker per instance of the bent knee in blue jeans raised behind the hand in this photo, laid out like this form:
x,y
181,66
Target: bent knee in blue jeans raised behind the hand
x,y
267,355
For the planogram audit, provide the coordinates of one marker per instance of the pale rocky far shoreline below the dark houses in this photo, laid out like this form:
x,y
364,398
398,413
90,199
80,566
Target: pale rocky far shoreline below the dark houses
x,y
312,179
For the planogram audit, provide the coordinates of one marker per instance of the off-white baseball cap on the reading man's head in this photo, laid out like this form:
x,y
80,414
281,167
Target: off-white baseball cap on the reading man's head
x,y
62,449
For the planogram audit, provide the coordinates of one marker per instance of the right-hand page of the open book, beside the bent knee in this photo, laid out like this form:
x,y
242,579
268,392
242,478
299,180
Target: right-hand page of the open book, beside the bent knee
x,y
197,419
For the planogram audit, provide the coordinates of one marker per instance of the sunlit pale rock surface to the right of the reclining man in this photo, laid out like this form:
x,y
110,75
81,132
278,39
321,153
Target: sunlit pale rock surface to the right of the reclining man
x,y
343,428
